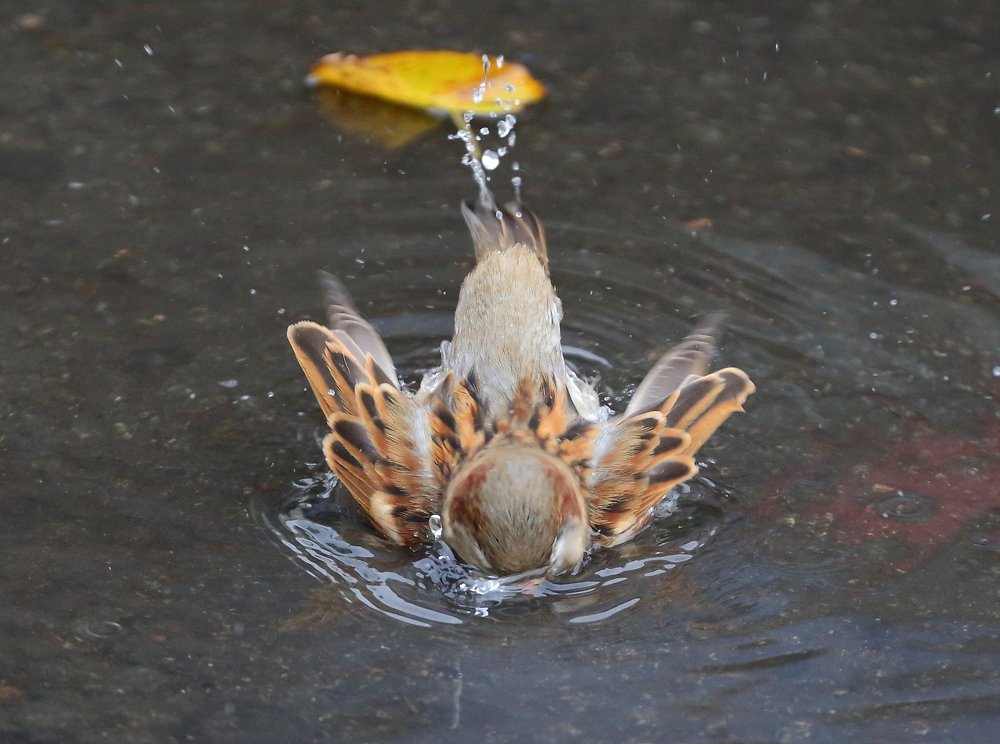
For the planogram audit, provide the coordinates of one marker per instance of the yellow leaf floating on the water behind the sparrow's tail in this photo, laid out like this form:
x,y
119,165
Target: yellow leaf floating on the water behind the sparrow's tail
x,y
438,82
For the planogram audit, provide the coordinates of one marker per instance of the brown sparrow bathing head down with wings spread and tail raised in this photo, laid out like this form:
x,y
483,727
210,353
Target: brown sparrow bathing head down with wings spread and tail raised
x,y
503,443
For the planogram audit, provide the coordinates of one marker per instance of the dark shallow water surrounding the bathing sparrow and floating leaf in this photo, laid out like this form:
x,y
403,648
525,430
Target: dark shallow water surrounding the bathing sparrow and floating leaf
x,y
831,576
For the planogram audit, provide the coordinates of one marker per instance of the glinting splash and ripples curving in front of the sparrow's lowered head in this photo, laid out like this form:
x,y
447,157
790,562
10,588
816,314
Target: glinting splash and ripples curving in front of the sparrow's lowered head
x,y
432,587
